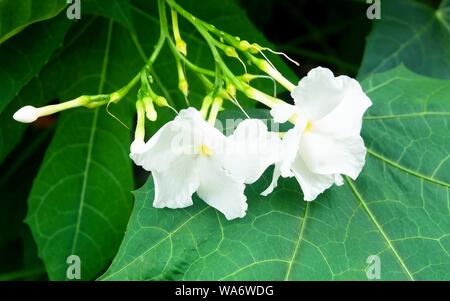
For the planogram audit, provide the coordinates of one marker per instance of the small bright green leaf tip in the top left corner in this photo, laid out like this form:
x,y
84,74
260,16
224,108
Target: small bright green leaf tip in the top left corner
x,y
17,15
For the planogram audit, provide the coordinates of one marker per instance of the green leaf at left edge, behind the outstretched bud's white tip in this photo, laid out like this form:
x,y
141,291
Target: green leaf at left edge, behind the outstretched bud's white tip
x,y
21,60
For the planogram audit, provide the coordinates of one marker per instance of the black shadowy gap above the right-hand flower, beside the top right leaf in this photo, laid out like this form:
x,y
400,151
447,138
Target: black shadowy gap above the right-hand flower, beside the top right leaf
x,y
328,33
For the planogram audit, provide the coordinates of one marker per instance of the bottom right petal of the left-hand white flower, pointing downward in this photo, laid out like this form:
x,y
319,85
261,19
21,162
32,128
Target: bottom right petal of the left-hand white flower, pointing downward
x,y
219,190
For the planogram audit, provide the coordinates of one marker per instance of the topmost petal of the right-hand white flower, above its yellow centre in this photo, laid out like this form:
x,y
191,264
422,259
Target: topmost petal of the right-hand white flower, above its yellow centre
x,y
319,93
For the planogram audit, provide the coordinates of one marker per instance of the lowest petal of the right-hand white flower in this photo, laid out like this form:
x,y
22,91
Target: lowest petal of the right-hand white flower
x,y
312,184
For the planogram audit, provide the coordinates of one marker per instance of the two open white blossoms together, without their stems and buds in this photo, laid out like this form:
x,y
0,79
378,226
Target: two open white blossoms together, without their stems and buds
x,y
189,155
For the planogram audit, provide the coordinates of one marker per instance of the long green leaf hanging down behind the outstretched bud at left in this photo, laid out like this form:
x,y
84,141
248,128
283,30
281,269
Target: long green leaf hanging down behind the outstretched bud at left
x,y
81,199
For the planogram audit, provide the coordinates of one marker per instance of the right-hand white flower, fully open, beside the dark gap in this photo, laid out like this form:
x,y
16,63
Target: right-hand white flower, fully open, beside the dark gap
x,y
325,142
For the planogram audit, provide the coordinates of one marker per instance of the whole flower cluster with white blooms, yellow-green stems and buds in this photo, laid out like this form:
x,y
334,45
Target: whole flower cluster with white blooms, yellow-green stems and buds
x,y
189,155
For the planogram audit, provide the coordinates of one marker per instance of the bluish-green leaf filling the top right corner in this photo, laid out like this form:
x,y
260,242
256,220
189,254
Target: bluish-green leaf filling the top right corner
x,y
412,33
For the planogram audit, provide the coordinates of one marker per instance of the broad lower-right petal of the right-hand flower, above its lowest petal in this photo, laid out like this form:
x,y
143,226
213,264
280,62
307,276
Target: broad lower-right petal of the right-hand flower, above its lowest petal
x,y
329,155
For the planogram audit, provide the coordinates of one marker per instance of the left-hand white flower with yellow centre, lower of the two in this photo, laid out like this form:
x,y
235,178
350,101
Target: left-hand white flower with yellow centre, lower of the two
x,y
188,155
